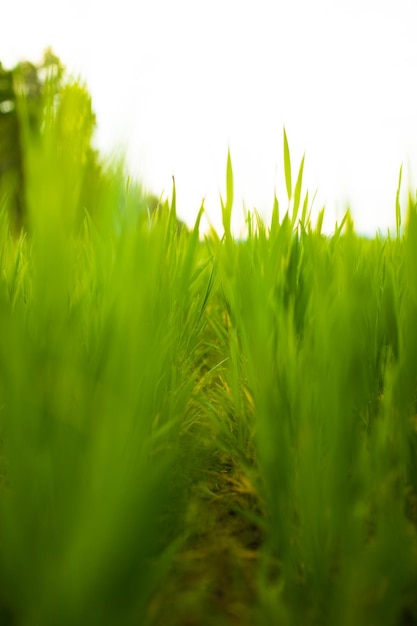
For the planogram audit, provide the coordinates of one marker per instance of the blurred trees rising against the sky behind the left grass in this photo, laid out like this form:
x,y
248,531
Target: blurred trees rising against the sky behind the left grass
x,y
30,96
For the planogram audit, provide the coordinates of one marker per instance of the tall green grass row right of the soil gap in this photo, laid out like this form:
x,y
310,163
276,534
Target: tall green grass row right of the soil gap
x,y
327,352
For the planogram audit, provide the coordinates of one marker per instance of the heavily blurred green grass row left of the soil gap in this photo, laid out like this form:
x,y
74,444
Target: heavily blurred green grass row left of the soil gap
x,y
96,371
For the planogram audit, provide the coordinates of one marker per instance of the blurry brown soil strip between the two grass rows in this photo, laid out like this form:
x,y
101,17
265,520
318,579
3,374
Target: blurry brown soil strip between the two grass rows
x,y
213,578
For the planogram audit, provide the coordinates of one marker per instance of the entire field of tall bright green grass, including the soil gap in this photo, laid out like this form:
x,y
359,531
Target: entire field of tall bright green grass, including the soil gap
x,y
203,431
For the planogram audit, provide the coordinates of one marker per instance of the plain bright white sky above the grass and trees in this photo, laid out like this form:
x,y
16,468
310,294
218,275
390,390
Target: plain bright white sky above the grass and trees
x,y
176,83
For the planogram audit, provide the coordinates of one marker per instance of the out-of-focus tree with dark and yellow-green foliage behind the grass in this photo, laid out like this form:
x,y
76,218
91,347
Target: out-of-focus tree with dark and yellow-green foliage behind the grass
x,y
47,124
